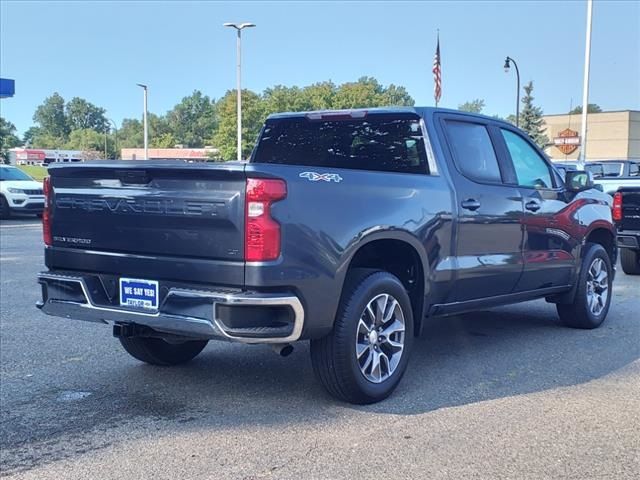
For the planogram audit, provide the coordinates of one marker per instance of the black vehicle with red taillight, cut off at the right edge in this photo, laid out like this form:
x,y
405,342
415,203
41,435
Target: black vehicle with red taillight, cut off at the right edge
x,y
626,213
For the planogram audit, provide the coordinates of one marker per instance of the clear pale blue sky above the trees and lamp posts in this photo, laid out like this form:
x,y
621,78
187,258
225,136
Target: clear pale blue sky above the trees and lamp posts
x,y
100,50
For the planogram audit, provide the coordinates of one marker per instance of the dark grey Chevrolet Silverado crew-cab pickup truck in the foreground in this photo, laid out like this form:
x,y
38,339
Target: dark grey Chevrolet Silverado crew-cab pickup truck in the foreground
x,y
346,228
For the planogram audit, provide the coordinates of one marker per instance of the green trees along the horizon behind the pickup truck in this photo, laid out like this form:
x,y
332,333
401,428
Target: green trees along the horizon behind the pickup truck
x,y
199,120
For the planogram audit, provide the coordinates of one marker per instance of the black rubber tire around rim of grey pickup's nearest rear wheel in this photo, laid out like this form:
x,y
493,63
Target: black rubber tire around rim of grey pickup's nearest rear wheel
x,y
334,357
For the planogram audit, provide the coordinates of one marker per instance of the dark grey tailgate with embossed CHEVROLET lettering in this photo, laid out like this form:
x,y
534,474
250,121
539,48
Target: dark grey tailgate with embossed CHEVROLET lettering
x,y
169,208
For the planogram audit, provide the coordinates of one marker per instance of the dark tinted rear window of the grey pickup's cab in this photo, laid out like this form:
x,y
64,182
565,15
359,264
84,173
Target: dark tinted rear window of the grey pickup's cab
x,y
381,142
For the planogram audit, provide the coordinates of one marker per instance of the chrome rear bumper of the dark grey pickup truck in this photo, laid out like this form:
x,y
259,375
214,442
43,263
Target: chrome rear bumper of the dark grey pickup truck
x,y
273,318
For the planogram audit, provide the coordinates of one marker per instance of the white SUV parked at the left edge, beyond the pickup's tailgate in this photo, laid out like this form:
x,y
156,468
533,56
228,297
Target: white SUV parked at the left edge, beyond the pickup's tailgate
x,y
19,193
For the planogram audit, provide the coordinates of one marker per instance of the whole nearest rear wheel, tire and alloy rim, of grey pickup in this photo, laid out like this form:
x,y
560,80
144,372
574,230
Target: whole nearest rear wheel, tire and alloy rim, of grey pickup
x,y
365,356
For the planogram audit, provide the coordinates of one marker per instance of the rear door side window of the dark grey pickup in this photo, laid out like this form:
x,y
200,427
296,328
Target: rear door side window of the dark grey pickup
x,y
473,151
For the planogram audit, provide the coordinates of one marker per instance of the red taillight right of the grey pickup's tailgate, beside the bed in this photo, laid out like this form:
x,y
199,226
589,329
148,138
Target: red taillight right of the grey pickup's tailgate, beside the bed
x,y
262,232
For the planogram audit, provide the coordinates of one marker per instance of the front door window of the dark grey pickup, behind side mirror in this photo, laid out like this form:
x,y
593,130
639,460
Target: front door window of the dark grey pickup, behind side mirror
x,y
531,169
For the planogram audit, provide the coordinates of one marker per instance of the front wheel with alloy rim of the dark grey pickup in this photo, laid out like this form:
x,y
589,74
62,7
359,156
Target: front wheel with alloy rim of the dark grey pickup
x,y
593,291
